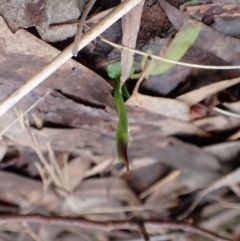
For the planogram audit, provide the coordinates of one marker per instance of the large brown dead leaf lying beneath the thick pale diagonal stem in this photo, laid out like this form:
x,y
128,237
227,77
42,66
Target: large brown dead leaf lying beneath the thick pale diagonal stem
x,y
22,55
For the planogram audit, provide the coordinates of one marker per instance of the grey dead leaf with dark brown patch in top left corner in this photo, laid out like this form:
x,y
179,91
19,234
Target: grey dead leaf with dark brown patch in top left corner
x,y
42,13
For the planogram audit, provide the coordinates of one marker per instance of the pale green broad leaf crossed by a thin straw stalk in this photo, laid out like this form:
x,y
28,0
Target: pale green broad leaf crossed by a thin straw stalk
x,y
183,40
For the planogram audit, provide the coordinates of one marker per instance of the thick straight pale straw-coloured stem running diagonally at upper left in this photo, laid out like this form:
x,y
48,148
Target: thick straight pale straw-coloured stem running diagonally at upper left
x,y
66,54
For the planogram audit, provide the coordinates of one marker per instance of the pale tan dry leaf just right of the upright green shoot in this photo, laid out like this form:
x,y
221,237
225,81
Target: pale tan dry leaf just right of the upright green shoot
x,y
166,107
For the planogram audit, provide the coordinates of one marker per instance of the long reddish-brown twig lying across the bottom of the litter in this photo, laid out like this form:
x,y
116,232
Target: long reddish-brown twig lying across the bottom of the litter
x,y
109,226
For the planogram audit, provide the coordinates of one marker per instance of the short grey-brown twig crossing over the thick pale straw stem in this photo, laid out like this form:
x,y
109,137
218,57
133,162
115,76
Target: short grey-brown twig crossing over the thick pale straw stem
x,y
78,35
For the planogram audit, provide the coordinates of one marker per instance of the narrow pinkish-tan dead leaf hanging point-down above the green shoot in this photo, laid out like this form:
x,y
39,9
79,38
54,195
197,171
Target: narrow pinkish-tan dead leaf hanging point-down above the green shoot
x,y
130,27
